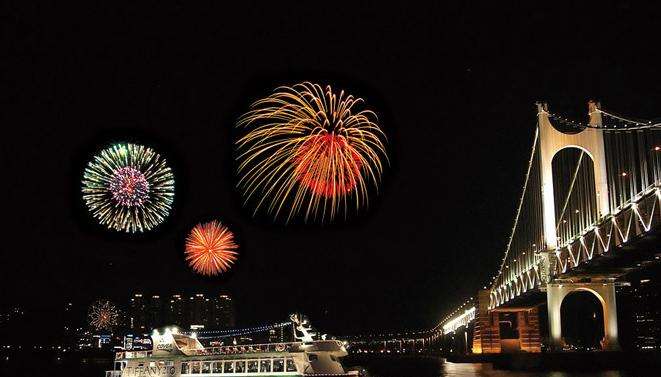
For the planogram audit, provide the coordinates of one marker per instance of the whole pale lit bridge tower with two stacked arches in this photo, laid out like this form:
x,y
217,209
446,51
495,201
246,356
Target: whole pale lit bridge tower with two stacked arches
x,y
591,141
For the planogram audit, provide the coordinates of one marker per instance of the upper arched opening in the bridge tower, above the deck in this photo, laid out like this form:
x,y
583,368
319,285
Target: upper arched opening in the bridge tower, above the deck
x,y
574,191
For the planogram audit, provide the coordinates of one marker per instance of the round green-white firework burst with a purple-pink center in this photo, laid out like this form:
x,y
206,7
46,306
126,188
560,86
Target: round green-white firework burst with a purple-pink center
x,y
128,187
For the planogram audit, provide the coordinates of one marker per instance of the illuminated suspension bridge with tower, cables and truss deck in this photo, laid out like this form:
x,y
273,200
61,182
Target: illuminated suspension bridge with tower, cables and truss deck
x,y
588,214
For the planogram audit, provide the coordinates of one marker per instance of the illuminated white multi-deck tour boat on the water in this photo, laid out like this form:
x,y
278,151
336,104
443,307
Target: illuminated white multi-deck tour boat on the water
x,y
180,355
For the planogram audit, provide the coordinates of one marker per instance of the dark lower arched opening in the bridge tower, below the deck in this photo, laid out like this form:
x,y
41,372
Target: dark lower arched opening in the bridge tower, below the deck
x,y
582,313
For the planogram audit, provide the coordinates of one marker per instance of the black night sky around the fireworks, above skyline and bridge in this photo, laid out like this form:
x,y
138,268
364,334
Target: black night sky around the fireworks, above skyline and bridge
x,y
454,88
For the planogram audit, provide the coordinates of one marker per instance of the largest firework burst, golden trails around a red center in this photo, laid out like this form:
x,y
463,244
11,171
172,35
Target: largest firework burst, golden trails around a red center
x,y
309,150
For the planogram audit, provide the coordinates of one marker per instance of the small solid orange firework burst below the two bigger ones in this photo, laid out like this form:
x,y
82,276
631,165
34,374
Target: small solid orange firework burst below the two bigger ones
x,y
210,248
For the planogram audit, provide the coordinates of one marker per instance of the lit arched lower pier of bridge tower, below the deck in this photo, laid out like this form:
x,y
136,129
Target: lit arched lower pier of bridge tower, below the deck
x,y
604,291
